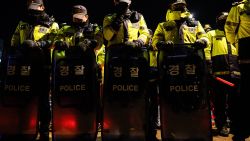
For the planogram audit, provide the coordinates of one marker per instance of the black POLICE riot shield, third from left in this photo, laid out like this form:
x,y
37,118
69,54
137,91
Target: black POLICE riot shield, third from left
x,y
125,108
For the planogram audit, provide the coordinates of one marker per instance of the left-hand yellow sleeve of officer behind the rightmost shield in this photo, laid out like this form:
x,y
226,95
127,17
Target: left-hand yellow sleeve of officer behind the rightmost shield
x,y
158,35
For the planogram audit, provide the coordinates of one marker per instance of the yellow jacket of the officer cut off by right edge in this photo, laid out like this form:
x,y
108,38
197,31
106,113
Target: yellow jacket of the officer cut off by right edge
x,y
238,22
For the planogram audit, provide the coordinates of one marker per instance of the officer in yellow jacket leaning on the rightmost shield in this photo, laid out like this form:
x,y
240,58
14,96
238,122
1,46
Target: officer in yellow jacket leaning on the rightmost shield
x,y
179,27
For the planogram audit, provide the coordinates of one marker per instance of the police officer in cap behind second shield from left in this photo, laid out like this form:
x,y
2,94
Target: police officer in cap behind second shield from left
x,y
80,32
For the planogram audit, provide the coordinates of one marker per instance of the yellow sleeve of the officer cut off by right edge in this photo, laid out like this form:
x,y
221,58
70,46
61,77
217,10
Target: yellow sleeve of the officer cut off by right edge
x,y
232,23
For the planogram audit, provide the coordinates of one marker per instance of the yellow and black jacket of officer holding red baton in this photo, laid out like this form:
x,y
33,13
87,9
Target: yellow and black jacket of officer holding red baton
x,y
222,54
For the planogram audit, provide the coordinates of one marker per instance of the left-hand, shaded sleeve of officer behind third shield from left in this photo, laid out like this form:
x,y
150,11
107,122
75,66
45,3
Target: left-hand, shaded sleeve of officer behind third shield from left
x,y
108,32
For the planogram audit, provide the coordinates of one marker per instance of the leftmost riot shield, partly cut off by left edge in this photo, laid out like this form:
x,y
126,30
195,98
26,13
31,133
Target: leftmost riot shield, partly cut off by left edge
x,y
21,93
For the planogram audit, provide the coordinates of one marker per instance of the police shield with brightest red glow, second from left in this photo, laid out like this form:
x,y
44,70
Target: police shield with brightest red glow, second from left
x,y
75,96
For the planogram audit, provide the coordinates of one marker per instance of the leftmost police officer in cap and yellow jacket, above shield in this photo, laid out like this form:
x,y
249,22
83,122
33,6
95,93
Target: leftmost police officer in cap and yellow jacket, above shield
x,y
37,25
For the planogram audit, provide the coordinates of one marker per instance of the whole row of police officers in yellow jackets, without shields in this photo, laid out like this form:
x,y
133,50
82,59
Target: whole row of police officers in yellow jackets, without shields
x,y
128,27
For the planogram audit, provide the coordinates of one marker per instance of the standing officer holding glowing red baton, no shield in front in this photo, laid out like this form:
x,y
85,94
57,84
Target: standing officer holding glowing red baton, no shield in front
x,y
222,58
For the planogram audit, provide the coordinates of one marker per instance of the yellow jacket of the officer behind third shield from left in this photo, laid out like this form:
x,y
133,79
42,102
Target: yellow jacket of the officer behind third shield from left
x,y
136,30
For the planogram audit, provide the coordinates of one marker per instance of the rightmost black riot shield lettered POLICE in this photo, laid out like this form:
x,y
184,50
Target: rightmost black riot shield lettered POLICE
x,y
184,104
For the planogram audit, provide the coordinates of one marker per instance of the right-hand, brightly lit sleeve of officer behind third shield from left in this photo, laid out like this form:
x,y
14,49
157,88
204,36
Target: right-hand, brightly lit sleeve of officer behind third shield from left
x,y
143,30
